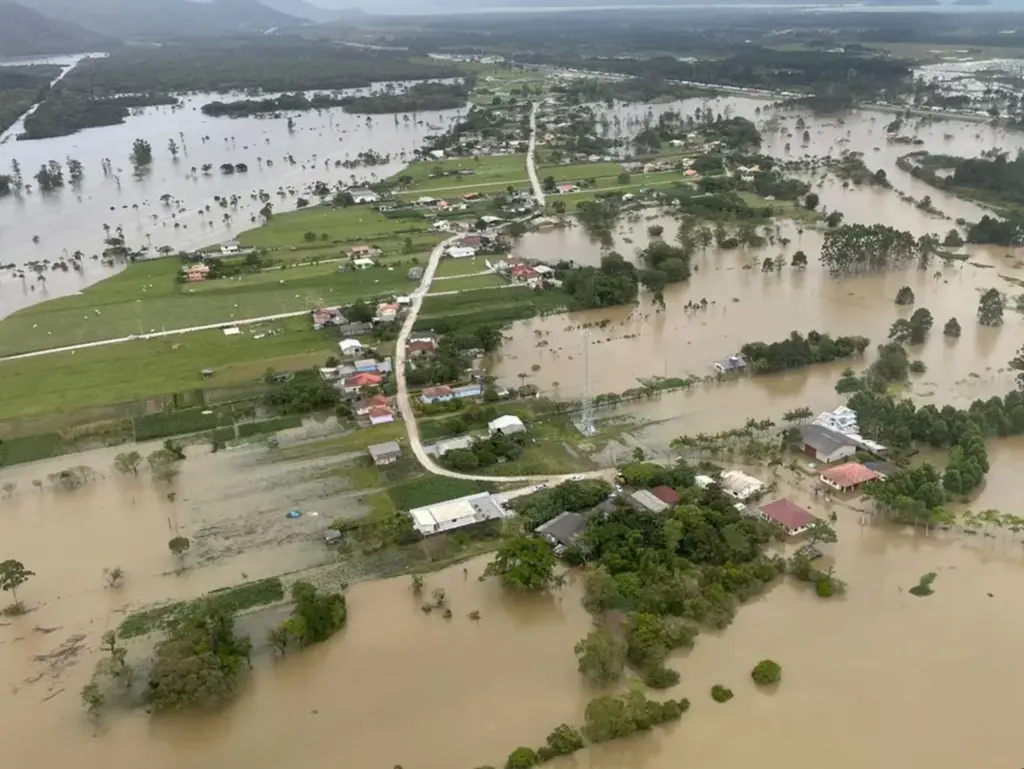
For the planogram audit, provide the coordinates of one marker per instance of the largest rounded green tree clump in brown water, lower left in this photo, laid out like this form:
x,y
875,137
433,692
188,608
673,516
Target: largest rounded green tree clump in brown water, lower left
x,y
201,662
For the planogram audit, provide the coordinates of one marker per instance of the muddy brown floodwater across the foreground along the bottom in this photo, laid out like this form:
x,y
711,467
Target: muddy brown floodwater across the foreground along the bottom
x,y
886,679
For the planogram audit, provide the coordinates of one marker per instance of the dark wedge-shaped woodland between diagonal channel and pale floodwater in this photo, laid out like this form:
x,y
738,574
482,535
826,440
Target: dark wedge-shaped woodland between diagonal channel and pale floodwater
x,y
66,112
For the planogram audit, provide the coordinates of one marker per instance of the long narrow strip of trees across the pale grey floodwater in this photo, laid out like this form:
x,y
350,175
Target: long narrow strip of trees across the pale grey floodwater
x,y
417,98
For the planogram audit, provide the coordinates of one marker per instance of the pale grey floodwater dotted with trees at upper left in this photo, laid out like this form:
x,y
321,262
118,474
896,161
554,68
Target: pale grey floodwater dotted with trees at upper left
x,y
69,221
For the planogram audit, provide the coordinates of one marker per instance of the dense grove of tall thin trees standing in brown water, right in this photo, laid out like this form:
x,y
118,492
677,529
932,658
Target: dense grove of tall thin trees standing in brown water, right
x,y
861,249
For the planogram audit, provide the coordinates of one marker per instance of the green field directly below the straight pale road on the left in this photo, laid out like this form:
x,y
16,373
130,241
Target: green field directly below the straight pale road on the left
x,y
65,382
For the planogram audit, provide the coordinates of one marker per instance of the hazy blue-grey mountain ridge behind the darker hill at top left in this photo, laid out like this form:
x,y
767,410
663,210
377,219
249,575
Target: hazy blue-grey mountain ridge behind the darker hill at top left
x,y
156,20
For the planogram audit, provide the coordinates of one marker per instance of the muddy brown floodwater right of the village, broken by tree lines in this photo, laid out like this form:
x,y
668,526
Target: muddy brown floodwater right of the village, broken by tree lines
x,y
747,306
